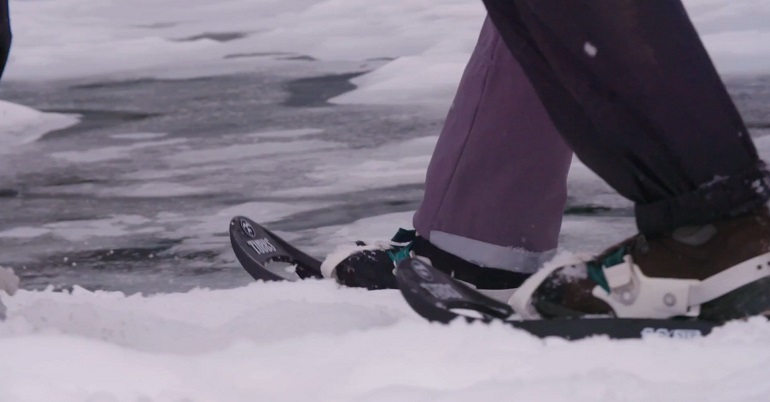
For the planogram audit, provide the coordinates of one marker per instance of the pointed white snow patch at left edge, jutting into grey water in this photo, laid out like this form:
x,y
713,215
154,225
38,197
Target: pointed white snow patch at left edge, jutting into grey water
x,y
22,125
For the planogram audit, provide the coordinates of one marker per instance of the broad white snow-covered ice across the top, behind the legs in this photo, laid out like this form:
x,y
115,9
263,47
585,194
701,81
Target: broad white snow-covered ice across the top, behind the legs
x,y
428,41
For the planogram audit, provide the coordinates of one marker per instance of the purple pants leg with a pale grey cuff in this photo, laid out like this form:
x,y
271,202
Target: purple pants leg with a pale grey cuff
x,y
496,184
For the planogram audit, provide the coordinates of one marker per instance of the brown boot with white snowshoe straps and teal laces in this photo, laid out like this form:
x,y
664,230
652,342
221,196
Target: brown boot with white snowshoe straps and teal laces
x,y
715,272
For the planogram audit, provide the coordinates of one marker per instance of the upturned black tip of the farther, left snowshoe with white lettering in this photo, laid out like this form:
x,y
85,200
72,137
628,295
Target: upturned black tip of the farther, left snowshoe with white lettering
x,y
266,256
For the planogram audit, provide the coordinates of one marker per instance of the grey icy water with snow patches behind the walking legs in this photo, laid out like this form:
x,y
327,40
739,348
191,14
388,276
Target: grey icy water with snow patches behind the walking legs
x,y
132,131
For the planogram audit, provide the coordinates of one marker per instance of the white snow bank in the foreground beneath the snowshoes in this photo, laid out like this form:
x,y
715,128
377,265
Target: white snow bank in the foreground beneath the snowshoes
x,y
315,341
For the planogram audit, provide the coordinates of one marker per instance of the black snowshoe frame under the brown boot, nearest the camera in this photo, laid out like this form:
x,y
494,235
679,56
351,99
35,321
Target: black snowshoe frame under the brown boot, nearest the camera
x,y
438,297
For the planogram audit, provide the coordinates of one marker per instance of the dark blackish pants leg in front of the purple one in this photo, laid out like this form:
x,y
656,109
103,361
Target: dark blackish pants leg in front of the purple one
x,y
632,90
